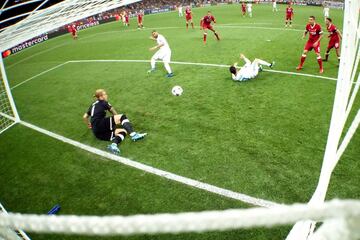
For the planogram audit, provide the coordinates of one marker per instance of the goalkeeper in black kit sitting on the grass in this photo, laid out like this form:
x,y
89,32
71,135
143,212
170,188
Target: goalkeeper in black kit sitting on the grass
x,y
105,128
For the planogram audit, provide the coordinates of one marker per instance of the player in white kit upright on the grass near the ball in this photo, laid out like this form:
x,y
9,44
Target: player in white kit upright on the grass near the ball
x,y
163,53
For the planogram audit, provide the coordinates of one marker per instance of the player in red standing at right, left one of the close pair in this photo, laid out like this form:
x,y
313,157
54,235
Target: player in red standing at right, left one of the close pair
x,y
315,35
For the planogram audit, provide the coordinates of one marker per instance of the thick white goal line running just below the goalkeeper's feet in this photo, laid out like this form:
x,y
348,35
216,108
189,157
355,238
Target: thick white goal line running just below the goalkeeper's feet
x,y
168,175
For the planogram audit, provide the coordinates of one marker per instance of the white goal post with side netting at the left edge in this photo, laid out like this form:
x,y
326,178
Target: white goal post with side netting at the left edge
x,y
8,111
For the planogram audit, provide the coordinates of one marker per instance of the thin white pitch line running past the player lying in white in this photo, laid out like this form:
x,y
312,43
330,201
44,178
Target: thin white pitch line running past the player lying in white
x,y
207,65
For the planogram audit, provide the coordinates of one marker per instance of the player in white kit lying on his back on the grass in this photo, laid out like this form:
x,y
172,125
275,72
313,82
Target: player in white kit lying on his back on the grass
x,y
249,70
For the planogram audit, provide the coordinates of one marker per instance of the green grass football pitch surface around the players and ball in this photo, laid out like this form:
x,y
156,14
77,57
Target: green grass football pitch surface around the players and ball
x,y
264,138
